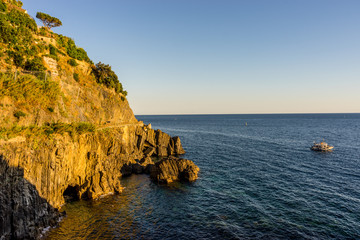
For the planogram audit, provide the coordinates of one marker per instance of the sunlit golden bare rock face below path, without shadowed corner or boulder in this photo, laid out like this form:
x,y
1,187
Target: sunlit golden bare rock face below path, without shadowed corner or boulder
x,y
88,165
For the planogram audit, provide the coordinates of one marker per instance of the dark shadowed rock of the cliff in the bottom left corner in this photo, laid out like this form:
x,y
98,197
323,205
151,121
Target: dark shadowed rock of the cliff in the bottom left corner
x,y
23,212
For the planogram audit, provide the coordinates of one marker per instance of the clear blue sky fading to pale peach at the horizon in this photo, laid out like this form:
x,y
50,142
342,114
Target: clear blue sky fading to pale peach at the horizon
x,y
224,56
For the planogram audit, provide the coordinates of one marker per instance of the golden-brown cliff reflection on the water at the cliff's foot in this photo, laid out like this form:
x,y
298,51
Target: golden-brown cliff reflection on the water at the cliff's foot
x,y
107,218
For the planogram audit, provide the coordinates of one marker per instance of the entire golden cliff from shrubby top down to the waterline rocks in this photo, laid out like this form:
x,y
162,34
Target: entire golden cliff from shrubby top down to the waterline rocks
x,y
66,128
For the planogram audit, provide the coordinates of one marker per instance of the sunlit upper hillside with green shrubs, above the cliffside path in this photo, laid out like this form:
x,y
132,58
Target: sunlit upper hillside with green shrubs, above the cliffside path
x,y
45,78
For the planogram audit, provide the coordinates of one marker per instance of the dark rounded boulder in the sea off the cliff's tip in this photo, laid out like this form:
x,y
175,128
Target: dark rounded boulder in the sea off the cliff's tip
x,y
174,169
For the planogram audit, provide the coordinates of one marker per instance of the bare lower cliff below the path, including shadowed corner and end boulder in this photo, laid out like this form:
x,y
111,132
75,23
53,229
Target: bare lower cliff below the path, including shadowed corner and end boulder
x,y
35,182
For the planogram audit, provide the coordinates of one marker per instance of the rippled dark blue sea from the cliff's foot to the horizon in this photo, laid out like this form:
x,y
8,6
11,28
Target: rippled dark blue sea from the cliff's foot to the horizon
x,y
257,181
